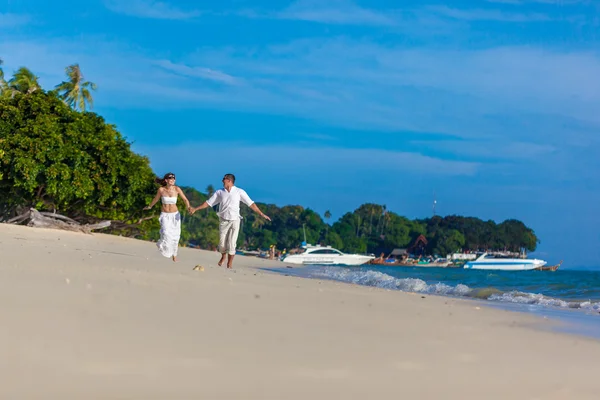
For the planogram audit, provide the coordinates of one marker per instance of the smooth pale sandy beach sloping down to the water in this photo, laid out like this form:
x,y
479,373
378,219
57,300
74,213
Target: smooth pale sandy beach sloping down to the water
x,y
105,317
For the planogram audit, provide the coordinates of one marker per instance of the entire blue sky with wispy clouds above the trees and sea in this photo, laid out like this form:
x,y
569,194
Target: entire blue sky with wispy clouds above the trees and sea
x,y
490,107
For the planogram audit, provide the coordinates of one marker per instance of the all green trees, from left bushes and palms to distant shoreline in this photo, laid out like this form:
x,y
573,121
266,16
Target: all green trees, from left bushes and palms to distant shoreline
x,y
55,155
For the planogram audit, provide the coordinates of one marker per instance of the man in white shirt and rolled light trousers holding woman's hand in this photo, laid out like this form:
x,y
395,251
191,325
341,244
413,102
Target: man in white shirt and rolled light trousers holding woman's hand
x,y
229,215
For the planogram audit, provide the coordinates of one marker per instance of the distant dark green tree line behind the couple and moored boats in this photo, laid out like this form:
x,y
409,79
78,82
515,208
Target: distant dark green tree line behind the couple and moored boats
x,y
371,228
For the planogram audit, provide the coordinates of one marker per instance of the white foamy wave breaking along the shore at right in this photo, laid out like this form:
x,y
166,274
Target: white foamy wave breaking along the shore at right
x,y
385,281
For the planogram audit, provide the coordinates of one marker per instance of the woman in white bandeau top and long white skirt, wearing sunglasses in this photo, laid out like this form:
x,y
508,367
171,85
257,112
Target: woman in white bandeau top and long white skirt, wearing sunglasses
x,y
170,219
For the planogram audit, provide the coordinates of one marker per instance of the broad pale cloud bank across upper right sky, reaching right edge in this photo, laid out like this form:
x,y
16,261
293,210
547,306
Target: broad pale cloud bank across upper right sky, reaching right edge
x,y
461,92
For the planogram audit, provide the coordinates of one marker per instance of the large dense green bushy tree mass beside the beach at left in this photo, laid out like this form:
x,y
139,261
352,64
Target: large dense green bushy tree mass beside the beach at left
x,y
55,158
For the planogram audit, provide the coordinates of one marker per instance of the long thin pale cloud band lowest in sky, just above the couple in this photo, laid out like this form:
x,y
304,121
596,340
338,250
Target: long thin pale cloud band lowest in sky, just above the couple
x,y
295,162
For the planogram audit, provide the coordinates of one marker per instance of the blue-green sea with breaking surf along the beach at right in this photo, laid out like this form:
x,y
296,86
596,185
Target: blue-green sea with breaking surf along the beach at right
x,y
569,295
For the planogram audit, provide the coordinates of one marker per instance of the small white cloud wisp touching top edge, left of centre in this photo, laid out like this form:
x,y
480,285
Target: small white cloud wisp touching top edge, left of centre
x,y
149,9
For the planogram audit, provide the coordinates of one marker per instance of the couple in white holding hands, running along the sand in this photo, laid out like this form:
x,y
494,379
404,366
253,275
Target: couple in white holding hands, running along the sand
x,y
229,215
